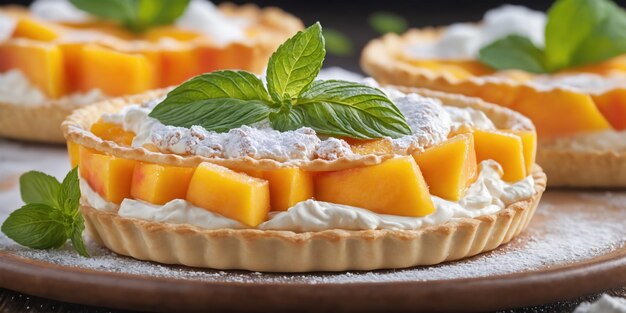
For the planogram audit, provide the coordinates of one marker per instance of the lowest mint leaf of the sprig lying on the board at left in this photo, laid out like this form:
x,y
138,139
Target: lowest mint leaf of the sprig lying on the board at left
x,y
37,226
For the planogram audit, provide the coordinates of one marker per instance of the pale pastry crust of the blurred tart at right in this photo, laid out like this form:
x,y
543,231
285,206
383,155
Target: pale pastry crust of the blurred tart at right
x,y
382,58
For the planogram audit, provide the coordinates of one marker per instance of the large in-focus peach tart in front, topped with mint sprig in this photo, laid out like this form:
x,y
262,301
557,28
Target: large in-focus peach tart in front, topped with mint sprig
x,y
294,174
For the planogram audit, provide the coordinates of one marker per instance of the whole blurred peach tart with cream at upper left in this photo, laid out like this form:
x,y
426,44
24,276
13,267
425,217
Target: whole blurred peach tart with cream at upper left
x,y
55,58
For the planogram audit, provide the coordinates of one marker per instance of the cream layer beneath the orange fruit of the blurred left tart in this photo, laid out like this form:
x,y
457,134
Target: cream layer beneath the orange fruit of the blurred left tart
x,y
16,89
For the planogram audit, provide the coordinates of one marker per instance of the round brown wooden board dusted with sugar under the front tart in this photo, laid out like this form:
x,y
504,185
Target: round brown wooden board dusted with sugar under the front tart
x,y
574,246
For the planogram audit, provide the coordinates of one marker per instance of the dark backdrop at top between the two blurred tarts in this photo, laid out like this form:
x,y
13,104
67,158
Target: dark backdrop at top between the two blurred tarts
x,y
350,17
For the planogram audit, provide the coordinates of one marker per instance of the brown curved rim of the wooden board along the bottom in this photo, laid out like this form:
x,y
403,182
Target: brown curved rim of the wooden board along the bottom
x,y
134,292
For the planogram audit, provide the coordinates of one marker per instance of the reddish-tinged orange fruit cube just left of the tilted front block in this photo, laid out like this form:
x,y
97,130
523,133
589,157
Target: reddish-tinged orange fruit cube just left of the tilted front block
x,y
160,184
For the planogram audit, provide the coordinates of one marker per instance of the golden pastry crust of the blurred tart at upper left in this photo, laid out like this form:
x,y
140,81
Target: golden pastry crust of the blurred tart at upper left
x,y
41,123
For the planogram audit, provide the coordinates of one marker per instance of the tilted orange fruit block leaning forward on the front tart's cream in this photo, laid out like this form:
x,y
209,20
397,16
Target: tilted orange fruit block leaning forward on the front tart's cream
x,y
231,194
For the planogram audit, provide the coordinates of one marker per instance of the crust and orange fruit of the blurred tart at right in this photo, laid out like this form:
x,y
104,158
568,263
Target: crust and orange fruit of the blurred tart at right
x,y
387,61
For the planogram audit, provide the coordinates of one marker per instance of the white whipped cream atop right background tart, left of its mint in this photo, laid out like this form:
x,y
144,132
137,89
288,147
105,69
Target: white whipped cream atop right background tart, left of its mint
x,y
464,40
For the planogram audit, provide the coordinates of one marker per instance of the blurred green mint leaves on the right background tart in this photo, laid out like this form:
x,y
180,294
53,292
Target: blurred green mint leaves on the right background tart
x,y
578,33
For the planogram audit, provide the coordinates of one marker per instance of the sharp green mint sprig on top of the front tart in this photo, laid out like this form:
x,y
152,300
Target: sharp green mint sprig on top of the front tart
x,y
223,100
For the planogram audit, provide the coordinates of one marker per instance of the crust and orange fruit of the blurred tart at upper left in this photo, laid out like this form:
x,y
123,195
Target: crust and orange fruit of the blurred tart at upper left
x,y
60,65
